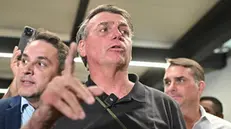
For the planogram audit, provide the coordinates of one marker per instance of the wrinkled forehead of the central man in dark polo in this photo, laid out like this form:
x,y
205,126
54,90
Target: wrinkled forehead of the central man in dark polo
x,y
107,17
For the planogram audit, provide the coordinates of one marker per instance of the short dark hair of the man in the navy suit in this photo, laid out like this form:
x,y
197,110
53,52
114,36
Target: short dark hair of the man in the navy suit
x,y
54,40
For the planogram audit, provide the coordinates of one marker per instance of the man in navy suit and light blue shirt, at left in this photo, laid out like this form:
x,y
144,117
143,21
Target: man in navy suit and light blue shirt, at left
x,y
42,60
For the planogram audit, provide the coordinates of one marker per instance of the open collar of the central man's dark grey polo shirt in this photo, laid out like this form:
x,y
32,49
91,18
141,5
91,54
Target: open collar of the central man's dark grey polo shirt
x,y
137,93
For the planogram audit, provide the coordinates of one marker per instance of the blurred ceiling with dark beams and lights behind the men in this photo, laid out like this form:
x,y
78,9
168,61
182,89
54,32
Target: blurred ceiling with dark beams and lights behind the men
x,y
197,29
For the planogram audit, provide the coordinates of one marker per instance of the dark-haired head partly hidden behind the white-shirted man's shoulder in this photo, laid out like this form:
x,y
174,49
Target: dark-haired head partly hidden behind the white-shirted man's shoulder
x,y
212,105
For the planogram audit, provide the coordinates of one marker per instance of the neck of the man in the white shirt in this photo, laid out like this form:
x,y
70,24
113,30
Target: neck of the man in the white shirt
x,y
191,115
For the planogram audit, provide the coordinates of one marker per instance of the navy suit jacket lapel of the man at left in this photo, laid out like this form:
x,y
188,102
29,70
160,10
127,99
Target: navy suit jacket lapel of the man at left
x,y
13,114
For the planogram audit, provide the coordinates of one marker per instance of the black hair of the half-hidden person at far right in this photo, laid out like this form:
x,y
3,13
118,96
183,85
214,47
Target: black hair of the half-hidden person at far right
x,y
217,105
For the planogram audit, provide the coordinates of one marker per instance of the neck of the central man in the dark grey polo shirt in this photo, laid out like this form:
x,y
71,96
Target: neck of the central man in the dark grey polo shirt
x,y
112,80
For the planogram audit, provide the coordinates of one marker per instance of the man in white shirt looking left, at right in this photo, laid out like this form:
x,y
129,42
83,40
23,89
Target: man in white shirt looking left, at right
x,y
184,82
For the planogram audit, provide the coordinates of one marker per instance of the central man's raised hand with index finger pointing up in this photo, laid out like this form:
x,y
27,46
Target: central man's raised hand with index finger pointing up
x,y
64,93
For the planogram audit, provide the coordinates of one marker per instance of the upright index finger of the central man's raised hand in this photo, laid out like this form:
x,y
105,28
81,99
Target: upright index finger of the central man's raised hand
x,y
69,62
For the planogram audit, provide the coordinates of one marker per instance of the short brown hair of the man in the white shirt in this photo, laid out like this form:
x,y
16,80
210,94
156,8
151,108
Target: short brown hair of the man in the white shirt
x,y
197,69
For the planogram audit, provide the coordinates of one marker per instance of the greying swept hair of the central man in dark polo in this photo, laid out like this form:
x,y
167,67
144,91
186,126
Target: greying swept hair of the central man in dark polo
x,y
82,32
